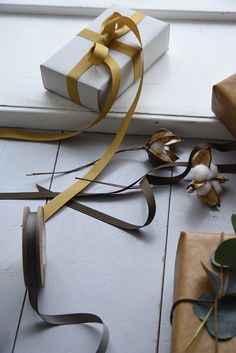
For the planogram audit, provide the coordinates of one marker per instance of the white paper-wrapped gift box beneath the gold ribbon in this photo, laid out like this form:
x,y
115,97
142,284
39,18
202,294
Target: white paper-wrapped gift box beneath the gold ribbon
x,y
94,84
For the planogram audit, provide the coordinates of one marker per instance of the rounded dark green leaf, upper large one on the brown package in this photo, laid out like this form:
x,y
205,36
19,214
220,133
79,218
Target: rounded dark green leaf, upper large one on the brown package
x,y
225,254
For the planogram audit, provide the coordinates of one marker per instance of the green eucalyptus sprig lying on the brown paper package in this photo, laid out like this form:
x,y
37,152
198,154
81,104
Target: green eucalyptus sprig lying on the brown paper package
x,y
224,292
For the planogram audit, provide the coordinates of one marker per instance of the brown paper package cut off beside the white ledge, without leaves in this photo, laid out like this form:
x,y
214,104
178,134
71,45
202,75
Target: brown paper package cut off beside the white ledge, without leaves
x,y
224,103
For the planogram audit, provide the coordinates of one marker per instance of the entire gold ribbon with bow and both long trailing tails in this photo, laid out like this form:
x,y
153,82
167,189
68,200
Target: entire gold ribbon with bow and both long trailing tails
x,y
113,27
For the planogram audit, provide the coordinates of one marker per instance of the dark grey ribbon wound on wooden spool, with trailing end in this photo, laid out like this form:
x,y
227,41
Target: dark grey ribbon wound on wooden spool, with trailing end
x,y
34,265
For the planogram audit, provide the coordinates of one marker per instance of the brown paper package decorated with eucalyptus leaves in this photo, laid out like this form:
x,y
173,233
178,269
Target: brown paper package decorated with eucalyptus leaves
x,y
191,282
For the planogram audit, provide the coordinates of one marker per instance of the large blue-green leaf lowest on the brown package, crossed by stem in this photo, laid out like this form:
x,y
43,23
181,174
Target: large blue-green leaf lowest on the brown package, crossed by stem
x,y
226,315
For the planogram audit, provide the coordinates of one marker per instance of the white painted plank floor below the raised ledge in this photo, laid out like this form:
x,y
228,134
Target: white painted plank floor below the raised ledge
x,y
93,267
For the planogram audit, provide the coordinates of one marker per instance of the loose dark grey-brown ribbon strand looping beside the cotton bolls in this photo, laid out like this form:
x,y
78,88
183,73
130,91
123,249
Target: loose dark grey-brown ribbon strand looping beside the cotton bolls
x,y
145,181
